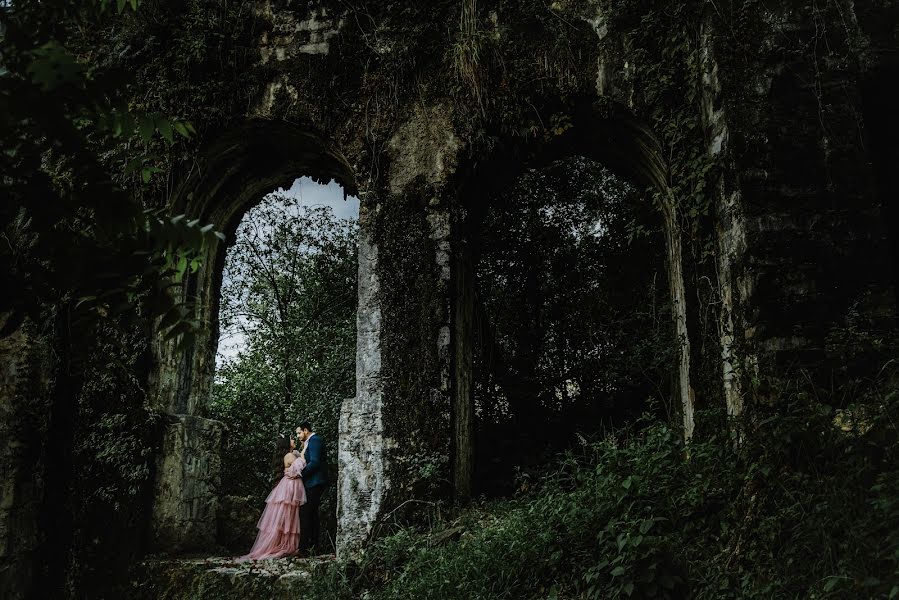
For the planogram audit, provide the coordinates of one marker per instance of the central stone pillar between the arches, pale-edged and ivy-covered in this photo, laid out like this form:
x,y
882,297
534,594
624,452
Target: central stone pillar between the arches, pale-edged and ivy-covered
x,y
395,435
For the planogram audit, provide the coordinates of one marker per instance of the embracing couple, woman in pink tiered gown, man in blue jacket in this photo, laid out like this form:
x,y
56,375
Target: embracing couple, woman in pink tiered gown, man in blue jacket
x,y
290,524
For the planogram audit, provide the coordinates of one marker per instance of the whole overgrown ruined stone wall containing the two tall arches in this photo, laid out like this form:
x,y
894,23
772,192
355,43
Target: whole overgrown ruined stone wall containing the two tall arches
x,y
403,103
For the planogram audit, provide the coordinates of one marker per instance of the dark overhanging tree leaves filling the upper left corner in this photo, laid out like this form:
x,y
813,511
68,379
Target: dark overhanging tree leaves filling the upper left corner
x,y
74,235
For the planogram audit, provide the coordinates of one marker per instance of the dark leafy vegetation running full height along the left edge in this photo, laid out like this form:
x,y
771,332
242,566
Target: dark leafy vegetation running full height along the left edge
x,y
85,267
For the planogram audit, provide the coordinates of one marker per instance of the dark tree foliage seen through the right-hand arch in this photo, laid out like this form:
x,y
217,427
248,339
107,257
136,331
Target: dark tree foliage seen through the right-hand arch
x,y
582,328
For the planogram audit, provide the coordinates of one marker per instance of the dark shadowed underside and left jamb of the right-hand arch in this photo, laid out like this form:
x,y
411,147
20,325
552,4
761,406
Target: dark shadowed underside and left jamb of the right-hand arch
x,y
604,133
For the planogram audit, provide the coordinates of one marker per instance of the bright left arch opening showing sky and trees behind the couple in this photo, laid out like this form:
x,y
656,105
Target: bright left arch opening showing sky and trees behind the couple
x,y
286,349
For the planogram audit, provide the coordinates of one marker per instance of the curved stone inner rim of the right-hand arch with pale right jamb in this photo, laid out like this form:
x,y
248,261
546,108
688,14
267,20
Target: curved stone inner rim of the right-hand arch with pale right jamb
x,y
609,134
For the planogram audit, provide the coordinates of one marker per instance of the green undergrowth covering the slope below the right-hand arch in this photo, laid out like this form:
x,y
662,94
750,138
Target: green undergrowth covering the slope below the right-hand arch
x,y
805,506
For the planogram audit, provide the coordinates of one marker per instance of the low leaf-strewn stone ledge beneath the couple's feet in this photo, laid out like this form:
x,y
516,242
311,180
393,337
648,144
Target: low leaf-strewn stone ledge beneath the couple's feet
x,y
222,578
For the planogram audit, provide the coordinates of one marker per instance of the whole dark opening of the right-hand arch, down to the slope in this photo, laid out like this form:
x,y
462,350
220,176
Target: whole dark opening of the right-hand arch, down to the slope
x,y
570,286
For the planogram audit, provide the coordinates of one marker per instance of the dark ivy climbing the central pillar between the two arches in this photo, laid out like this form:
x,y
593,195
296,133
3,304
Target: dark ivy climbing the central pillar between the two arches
x,y
409,345
